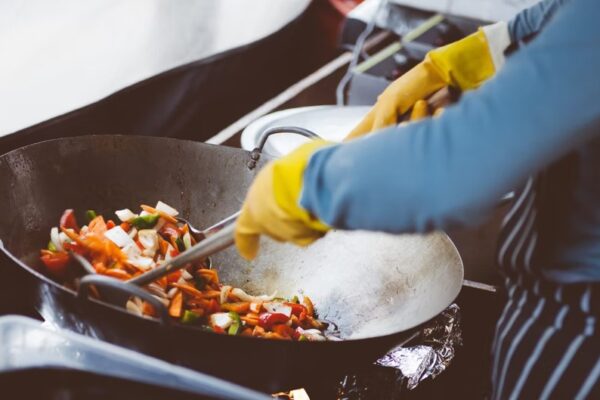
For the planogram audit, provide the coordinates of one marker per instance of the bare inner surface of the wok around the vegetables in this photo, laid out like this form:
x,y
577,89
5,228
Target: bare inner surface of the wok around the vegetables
x,y
368,284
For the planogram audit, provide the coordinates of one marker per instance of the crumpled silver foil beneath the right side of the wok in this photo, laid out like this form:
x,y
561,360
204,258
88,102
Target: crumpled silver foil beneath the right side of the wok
x,y
404,367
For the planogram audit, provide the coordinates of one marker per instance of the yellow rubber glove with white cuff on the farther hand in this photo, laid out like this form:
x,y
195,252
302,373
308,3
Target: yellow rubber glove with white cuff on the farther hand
x,y
464,64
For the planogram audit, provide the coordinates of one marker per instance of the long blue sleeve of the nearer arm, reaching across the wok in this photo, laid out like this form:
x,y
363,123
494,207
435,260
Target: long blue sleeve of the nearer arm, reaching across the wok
x,y
451,170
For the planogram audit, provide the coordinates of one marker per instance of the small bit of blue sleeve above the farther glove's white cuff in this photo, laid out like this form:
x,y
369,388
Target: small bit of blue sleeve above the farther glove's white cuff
x,y
533,19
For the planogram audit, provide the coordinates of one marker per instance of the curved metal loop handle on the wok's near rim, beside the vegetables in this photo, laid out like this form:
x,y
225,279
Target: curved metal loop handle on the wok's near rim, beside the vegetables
x,y
122,289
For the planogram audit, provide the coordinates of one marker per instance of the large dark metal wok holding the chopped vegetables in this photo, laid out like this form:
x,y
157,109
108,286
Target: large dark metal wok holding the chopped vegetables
x,y
375,287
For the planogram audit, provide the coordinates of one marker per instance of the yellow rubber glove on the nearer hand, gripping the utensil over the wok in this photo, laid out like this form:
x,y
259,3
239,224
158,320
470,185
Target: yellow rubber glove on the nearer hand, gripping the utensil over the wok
x,y
272,205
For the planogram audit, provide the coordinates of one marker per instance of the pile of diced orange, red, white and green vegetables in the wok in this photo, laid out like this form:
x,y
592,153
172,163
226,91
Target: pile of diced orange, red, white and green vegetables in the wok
x,y
137,243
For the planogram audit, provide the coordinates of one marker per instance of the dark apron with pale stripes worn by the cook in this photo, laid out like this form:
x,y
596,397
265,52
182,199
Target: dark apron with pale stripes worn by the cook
x,y
547,343
